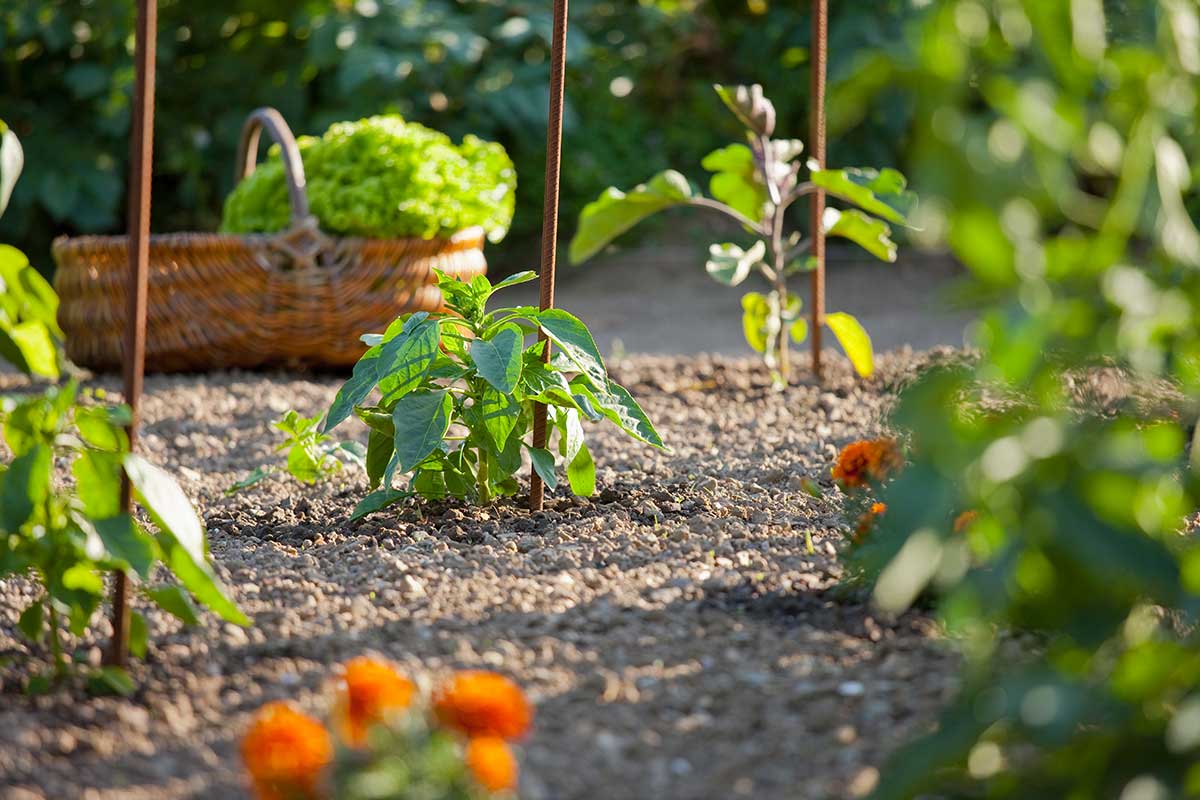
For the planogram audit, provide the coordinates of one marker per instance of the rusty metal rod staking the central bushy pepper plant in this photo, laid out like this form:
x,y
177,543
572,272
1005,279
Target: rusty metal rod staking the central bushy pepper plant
x,y
550,221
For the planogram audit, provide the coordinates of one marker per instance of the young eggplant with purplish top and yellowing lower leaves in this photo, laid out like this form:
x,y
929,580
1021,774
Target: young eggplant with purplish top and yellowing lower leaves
x,y
755,184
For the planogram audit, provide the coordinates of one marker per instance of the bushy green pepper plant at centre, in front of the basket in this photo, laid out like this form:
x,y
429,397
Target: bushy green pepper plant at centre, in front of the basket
x,y
457,396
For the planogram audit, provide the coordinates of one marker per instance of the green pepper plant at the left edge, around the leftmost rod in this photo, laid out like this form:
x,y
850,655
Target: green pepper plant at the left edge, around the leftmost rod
x,y
68,538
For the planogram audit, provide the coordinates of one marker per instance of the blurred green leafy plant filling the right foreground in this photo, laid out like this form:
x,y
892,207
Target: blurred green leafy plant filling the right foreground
x,y
1052,145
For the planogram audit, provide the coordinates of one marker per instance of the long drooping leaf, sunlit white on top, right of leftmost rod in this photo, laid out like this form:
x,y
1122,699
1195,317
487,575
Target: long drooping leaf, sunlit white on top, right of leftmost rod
x,y
183,538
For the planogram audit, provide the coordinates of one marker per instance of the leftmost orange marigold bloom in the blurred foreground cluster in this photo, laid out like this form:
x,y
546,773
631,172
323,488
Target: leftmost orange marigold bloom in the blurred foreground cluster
x,y
286,753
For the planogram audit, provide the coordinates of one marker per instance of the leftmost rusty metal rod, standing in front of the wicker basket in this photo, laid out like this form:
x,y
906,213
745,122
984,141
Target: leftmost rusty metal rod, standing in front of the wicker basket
x,y
141,166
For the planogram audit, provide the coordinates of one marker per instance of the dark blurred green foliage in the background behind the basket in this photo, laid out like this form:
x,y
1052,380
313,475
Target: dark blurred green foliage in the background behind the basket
x,y
638,89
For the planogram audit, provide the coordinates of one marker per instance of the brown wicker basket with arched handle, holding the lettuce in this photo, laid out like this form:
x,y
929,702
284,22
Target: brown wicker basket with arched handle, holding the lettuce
x,y
215,300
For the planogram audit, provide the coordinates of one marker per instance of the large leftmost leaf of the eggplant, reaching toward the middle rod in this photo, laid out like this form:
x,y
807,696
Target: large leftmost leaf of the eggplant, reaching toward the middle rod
x,y
615,212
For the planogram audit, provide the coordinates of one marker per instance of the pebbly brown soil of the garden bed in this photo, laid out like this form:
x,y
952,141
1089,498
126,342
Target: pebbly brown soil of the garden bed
x,y
677,637
